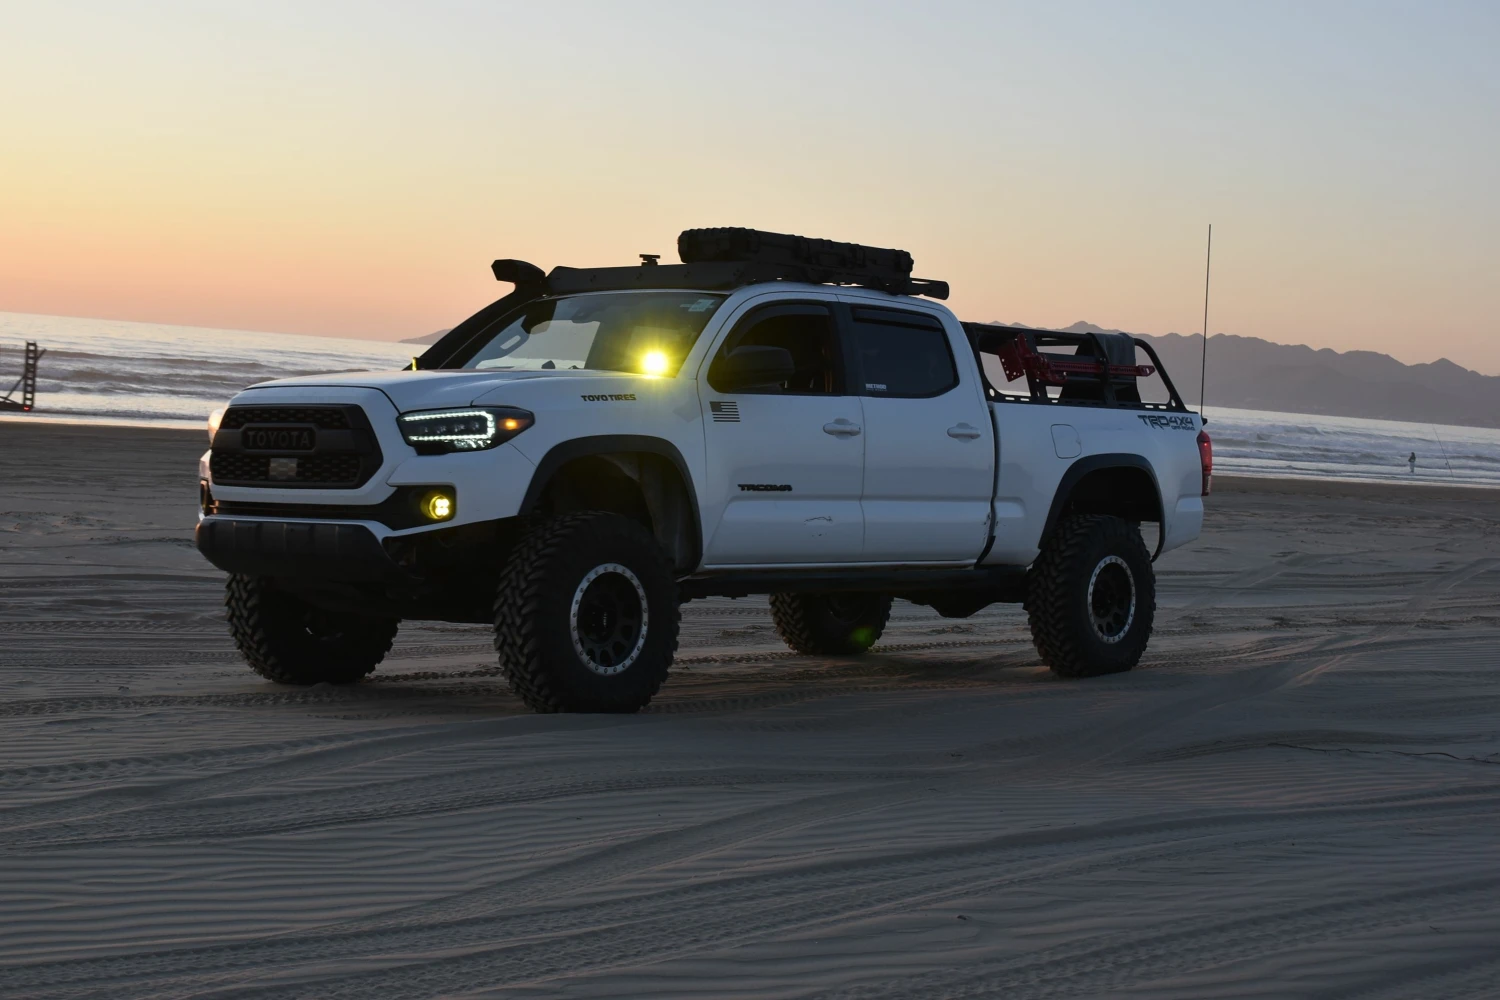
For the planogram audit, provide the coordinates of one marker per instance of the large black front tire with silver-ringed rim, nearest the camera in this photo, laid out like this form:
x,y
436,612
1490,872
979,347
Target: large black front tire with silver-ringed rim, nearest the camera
x,y
539,623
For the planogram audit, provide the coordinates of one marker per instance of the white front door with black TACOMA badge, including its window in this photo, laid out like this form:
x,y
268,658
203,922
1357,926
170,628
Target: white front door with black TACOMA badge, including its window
x,y
785,461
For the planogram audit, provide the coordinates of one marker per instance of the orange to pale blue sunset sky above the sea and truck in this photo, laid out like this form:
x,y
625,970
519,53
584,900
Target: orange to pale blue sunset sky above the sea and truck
x,y
352,169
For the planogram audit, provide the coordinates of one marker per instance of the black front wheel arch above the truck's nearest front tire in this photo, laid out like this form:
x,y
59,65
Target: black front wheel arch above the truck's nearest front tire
x,y
596,470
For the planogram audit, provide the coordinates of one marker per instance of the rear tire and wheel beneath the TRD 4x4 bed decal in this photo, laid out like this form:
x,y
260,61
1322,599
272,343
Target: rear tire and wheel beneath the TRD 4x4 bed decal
x,y
1075,636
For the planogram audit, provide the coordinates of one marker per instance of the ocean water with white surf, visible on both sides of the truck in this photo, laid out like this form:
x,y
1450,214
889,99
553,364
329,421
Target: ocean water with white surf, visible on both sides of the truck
x,y
104,371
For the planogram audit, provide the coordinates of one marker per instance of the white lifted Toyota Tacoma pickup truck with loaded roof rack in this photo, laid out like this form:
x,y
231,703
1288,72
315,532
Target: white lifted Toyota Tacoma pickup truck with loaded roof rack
x,y
773,416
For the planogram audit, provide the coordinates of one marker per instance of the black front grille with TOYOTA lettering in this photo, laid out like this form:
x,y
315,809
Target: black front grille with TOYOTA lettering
x,y
346,455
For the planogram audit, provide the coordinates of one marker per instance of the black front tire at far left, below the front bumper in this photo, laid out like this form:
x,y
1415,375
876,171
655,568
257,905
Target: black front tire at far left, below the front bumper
x,y
289,641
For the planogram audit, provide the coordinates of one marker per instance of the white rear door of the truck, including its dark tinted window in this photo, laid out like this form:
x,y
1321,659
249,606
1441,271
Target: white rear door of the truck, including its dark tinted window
x,y
929,454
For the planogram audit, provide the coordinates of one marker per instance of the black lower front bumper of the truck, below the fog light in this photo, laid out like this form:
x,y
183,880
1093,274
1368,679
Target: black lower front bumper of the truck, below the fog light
x,y
331,551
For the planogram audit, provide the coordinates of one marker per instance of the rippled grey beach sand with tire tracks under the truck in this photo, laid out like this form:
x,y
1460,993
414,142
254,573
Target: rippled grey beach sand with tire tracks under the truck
x,y
1295,795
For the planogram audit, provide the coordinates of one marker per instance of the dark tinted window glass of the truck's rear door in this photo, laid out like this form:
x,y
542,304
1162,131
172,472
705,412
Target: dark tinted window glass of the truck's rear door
x,y
902,355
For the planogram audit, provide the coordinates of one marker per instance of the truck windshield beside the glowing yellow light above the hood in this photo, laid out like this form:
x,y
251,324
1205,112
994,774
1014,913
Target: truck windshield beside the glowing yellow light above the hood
x,y
611,332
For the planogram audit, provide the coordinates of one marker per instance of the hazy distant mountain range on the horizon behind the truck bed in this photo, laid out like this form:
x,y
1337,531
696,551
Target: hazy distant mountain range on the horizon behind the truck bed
x,y
1255,374
